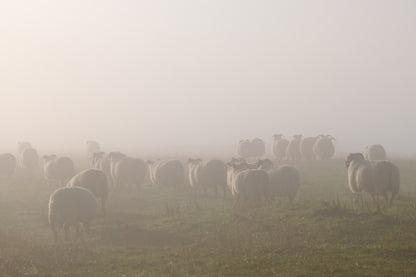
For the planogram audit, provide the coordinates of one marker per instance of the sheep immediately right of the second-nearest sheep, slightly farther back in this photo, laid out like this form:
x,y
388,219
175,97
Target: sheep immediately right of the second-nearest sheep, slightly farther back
x,y
129,171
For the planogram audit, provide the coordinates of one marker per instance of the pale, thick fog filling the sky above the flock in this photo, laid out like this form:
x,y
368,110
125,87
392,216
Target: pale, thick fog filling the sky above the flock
x,y
198,76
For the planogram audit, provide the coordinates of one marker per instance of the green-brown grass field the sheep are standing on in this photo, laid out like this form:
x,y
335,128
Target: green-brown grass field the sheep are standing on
x,y
324,233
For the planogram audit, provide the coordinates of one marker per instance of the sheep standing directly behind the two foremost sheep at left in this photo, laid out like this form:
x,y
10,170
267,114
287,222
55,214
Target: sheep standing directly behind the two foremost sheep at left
x,y
58,169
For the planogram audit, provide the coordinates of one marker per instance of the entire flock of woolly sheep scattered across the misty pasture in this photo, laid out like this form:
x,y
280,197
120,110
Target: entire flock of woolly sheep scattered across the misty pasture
x,y
250,182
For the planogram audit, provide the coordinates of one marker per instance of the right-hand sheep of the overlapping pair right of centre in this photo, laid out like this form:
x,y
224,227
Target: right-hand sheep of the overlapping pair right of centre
x,y
283,181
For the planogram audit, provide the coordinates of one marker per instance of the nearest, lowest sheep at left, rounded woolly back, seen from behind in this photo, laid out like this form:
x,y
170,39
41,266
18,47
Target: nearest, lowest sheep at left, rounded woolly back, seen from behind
x,y
71,206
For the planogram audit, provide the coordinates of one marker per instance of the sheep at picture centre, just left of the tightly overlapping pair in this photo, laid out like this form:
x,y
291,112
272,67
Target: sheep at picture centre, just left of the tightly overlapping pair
x,y
207,174
